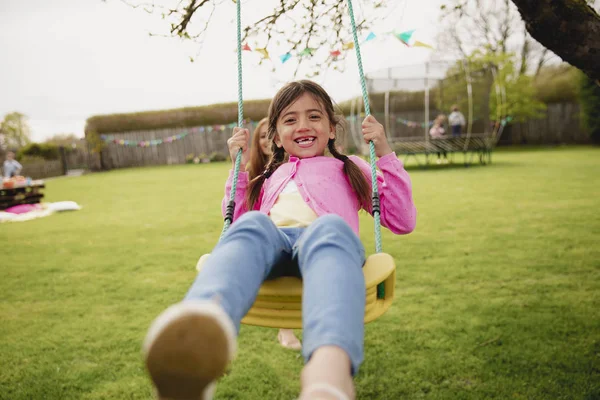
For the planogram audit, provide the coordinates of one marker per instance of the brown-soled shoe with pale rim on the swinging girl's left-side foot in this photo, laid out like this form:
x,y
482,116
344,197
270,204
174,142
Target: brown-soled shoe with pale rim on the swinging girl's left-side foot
x,y
187,348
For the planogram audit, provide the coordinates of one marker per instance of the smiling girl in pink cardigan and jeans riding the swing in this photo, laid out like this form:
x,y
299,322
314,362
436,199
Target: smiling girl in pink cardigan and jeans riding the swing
x,y
298,217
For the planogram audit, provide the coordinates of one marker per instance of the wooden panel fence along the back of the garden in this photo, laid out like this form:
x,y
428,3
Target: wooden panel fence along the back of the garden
x,y
560,125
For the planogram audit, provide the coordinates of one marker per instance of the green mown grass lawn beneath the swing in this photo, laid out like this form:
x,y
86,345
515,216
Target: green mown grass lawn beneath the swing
x,y
498,287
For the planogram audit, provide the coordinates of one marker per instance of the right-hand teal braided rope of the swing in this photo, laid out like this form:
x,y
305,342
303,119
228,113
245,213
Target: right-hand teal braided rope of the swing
x,y
363,85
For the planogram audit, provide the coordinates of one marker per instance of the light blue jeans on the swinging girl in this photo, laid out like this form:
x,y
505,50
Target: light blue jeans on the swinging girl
x,y
329,257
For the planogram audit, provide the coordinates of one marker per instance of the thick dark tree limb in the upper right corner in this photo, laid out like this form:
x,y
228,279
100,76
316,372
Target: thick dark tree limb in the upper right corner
x,y
570,28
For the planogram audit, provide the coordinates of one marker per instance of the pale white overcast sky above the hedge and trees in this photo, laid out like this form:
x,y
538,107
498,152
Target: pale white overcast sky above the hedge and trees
x,y
63,61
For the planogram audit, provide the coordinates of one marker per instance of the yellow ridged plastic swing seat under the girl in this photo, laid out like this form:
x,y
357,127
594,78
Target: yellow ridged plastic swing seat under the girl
x,y
279,301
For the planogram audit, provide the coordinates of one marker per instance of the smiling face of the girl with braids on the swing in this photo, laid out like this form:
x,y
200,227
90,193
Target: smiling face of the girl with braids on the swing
x,y
303,128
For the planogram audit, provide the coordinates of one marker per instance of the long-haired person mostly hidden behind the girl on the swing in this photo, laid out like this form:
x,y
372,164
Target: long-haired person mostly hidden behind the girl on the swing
x,y
260,150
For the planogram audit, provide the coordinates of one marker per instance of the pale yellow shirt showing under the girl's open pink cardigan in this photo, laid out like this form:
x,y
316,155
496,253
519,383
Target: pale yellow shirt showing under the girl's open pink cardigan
x,y
290,209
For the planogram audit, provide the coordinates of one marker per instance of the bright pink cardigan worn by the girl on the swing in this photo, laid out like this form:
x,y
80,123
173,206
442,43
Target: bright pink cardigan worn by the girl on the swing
x,y
323,185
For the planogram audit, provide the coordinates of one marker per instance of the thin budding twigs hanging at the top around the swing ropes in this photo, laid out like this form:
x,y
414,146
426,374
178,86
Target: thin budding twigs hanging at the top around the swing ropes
x,y
299,23
